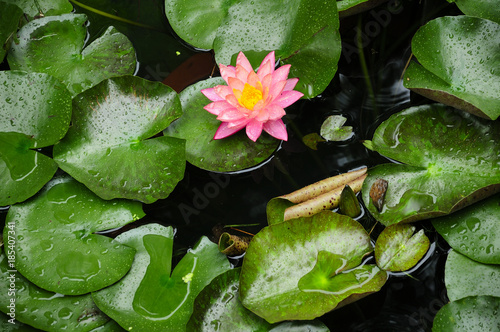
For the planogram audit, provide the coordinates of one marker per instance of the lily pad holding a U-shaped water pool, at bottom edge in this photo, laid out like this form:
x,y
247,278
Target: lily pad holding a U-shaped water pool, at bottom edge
x,y
150,298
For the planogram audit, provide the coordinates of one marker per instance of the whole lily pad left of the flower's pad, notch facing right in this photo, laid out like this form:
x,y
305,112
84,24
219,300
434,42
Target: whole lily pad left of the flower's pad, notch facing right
x,y
108,147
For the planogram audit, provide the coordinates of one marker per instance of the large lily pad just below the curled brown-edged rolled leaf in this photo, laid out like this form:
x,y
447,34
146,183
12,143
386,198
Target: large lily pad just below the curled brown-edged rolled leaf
x,y
285,257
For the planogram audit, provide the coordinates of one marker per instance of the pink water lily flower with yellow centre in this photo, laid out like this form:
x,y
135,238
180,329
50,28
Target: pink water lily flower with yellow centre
x,y
252,100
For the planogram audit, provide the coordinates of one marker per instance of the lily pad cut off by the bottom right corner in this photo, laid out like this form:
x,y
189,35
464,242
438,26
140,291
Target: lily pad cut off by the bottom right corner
x,y
475,313
